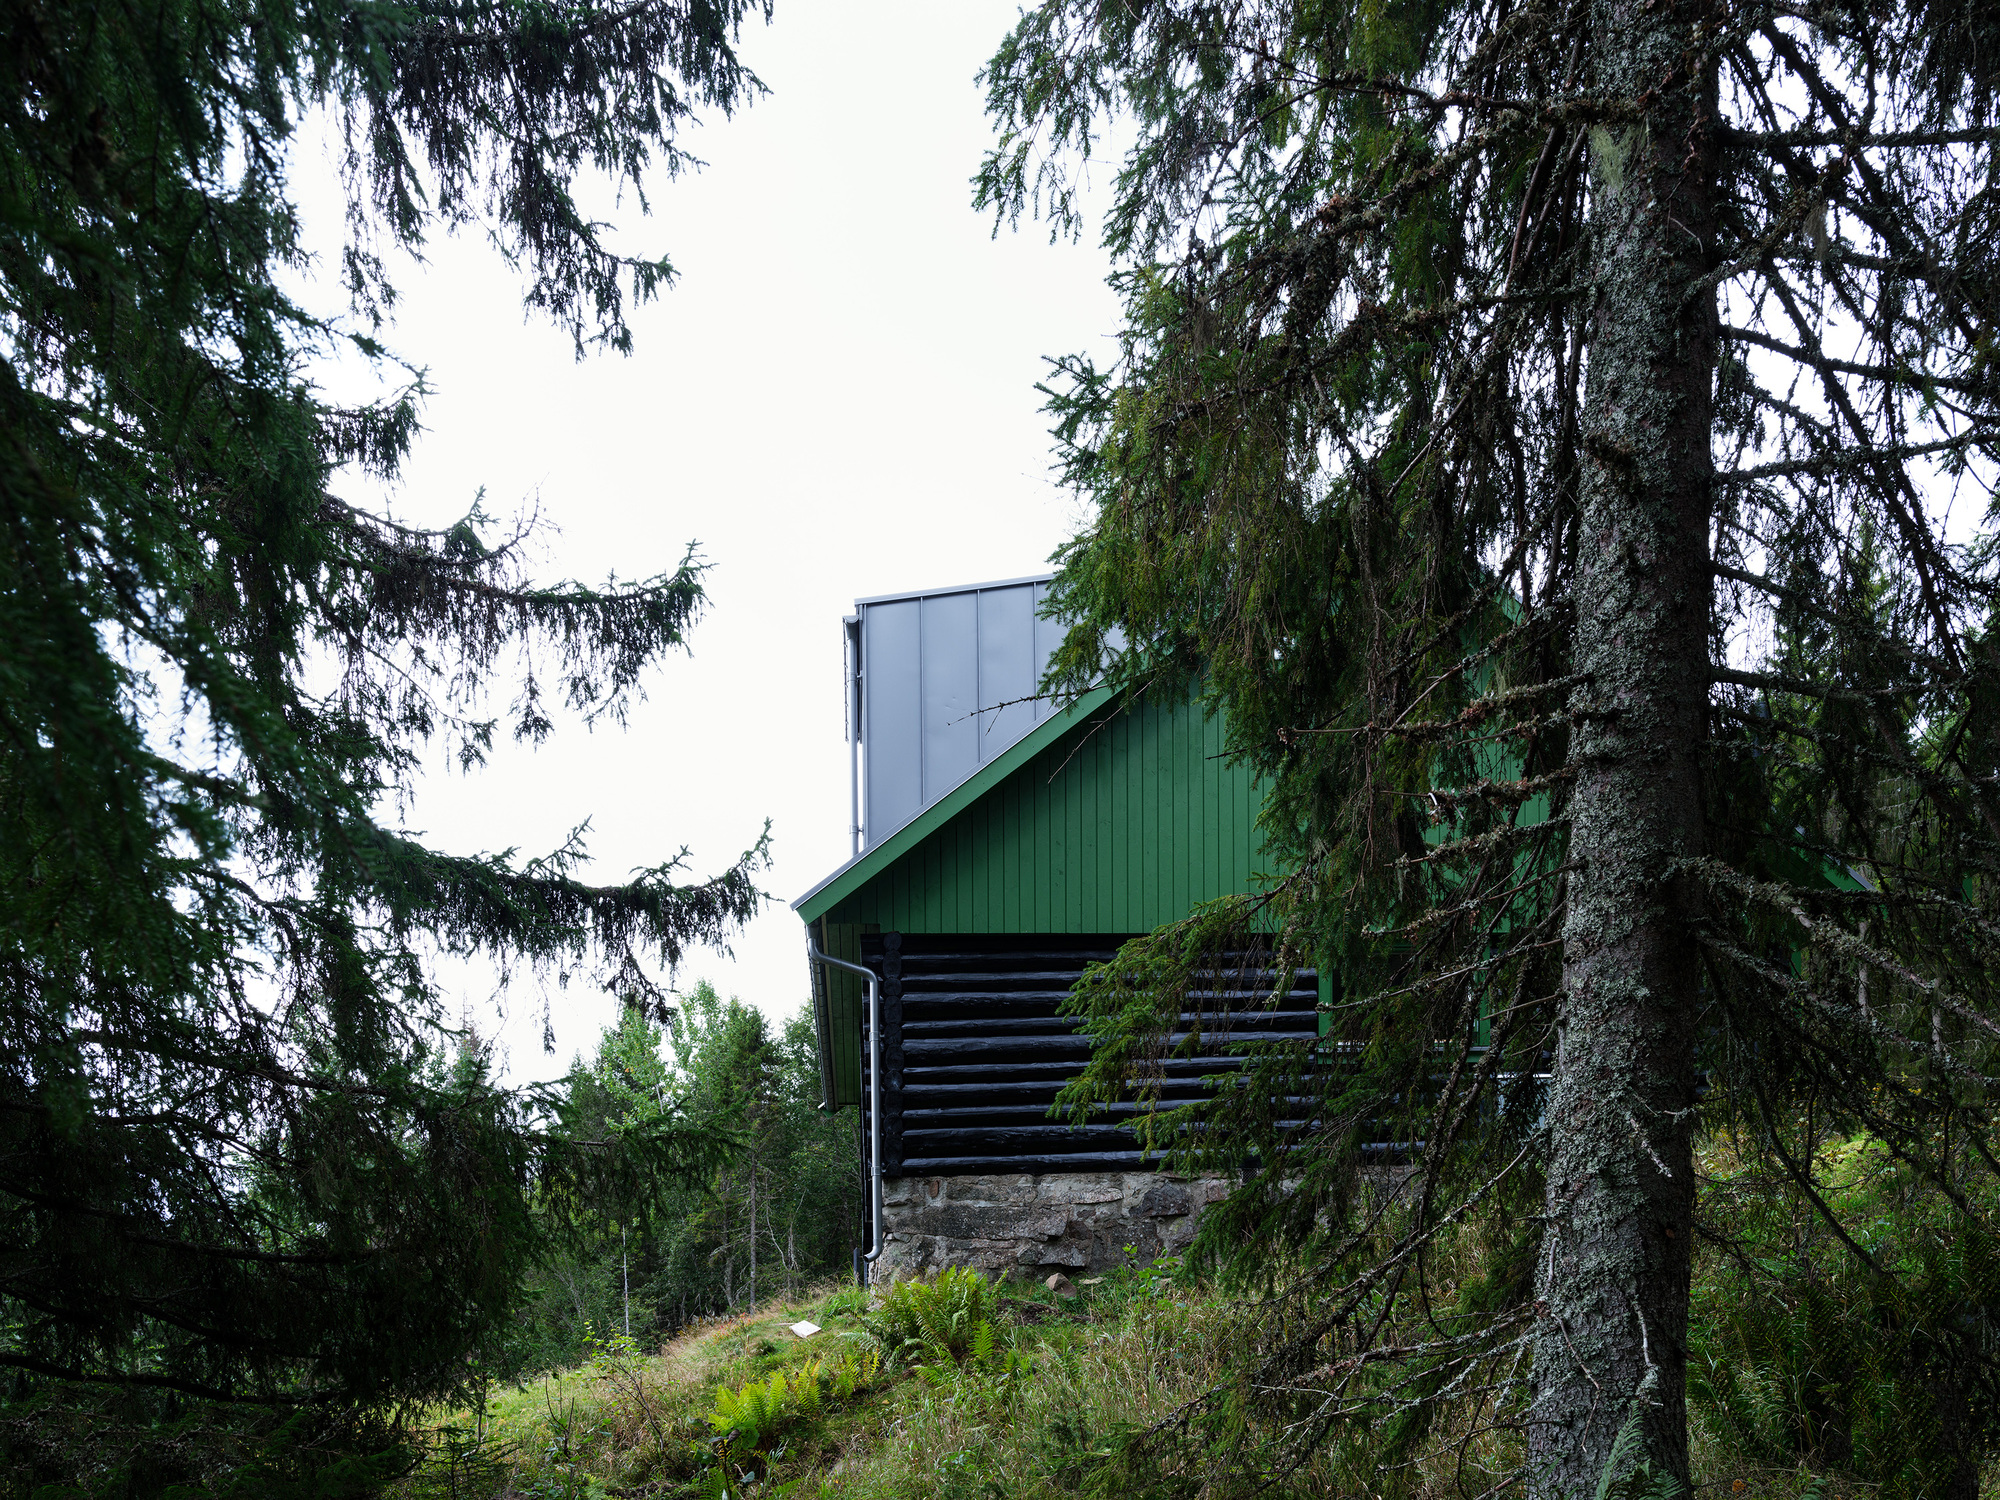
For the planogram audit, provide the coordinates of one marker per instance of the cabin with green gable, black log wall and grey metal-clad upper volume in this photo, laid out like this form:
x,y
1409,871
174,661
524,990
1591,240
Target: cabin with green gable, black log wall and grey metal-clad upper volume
x,y
985,883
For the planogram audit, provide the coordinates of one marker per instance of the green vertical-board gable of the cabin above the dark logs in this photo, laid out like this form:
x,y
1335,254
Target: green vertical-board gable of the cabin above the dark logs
x,y
1115,825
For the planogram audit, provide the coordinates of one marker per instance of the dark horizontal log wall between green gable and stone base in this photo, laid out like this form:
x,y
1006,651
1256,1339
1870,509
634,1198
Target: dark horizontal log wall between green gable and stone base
x,y
975,1049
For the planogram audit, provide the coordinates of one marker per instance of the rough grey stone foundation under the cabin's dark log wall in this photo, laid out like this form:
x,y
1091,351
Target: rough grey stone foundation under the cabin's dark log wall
x,y
1037,1225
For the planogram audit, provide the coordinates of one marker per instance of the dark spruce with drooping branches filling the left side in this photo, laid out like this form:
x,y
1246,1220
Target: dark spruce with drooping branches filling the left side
x,y
239,1153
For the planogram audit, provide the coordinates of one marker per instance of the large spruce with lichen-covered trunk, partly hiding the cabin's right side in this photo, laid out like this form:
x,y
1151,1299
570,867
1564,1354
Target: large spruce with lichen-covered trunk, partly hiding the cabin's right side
x,y
1561,437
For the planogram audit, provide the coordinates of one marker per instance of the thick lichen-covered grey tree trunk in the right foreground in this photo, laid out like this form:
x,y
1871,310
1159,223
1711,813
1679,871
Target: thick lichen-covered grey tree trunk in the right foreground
x,y
1615,1275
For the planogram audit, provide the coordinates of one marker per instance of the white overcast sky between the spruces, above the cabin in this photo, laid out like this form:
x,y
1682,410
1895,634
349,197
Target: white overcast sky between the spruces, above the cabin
x,y
835,401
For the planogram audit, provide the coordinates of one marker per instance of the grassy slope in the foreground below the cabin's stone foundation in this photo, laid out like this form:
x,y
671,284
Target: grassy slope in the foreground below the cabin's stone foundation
x,y
1125,1353
